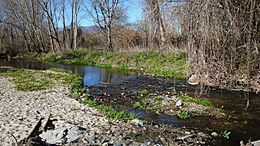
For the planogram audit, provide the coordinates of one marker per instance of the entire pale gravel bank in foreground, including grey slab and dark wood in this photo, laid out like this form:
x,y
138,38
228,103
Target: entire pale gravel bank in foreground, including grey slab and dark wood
x,y
69,122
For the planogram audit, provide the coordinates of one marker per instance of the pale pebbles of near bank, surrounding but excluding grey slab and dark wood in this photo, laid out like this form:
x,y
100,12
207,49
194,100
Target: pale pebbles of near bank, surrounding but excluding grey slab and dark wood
x,y
20,112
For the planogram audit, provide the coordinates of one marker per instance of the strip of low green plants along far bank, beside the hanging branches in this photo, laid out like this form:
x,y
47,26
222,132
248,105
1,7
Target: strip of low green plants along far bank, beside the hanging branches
x,y
170,64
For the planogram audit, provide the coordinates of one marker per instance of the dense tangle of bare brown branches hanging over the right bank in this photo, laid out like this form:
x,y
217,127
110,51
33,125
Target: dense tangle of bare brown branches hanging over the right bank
x,y
222,41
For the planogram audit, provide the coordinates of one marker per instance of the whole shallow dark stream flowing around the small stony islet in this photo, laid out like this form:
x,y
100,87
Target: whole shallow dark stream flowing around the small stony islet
x,y
244,106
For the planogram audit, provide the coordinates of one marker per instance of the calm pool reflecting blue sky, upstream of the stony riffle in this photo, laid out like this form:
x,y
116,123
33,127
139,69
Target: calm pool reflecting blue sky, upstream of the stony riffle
x,y
92,76
